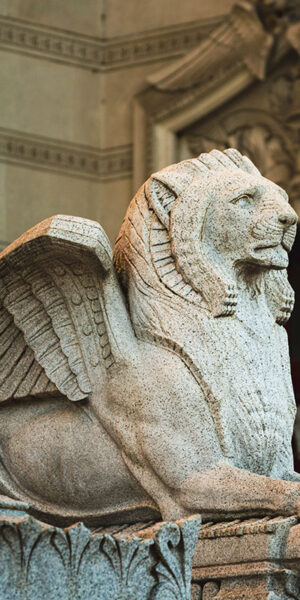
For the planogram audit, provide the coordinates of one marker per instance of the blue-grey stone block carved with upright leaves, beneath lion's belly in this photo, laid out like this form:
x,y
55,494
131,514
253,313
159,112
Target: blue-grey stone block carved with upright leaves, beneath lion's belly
x,y
39,561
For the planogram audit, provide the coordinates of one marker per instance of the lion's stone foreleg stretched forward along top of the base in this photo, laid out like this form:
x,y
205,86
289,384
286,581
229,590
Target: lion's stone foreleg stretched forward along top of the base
x,y
177,475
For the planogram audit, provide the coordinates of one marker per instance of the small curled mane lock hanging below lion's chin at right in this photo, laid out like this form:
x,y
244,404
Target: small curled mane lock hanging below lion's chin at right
x,y
280,295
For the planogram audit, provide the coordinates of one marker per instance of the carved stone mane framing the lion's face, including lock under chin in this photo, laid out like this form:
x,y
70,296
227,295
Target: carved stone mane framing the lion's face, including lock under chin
x,y
159,250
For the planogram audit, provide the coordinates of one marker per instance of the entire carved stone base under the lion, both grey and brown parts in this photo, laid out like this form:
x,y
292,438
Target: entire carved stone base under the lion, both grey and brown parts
x,y
256,559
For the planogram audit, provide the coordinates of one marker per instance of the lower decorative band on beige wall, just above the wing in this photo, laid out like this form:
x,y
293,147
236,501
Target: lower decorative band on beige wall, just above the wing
x,y
38,152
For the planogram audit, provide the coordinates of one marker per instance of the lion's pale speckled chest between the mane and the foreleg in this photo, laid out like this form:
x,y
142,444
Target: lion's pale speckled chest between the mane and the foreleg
x,y
248,375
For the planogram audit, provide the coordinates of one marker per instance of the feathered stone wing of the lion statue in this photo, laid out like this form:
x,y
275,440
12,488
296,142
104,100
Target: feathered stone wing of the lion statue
x,y
60,311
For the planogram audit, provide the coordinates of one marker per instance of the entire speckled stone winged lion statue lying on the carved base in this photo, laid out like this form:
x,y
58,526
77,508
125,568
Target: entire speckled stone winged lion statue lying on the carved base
x,y
155,385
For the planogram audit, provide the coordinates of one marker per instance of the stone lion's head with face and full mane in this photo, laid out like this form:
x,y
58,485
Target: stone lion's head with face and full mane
x,y
198,227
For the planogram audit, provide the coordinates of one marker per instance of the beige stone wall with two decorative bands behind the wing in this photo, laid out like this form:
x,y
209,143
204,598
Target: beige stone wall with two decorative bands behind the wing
x,y
69,73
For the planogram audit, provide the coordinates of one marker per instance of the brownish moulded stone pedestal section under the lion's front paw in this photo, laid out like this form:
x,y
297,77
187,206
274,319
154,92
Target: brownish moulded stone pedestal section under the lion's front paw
x,y
257,559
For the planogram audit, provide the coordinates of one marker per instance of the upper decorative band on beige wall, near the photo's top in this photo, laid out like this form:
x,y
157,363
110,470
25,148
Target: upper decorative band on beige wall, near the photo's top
x,y
97,54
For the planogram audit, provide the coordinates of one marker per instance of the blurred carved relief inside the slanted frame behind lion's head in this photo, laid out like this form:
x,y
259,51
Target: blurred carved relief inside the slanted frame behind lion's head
x,y
265,127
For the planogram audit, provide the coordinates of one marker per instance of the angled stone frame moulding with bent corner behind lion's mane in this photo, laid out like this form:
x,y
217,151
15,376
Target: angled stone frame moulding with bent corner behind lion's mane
x,y
157,120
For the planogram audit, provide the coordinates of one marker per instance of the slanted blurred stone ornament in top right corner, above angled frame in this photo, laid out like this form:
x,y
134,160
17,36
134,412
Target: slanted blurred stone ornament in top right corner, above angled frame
x,y
247,35
